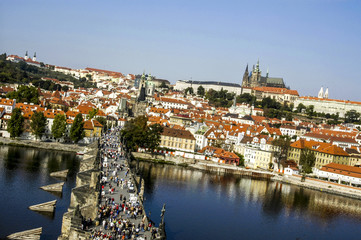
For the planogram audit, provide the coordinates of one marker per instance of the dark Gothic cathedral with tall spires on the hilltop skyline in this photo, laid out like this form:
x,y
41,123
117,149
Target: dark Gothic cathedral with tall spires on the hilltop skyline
x,y
254,79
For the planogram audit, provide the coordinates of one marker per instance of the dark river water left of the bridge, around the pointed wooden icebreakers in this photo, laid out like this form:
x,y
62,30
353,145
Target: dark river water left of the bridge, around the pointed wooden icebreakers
x,y
22,172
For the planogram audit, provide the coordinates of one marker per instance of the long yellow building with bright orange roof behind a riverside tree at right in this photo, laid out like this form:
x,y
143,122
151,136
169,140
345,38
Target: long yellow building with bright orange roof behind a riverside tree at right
x,y
325,153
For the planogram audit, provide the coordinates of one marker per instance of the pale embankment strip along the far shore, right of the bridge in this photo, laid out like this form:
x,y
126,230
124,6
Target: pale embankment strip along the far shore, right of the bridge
x,y
310,183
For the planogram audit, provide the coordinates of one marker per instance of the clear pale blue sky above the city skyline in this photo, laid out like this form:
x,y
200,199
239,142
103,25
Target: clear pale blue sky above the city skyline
x,y
309,43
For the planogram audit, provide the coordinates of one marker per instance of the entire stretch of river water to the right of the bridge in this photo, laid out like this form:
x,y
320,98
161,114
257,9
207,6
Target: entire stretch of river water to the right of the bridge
x,y
202,205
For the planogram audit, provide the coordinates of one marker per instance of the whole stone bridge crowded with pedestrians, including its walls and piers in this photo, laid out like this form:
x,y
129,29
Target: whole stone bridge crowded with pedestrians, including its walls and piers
x,y
107,202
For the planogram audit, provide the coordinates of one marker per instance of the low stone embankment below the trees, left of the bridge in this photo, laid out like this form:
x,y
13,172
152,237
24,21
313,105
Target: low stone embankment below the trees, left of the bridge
x,y
44,145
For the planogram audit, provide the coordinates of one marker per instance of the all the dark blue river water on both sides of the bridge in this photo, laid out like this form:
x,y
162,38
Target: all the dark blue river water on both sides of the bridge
x,y
199,205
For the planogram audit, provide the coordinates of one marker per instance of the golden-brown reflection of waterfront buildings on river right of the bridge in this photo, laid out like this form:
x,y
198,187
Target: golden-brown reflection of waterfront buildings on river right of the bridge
x,y
275,198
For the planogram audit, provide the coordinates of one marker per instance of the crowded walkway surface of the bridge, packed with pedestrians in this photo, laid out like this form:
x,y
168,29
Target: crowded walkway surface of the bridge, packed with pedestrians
x,y
117,168
